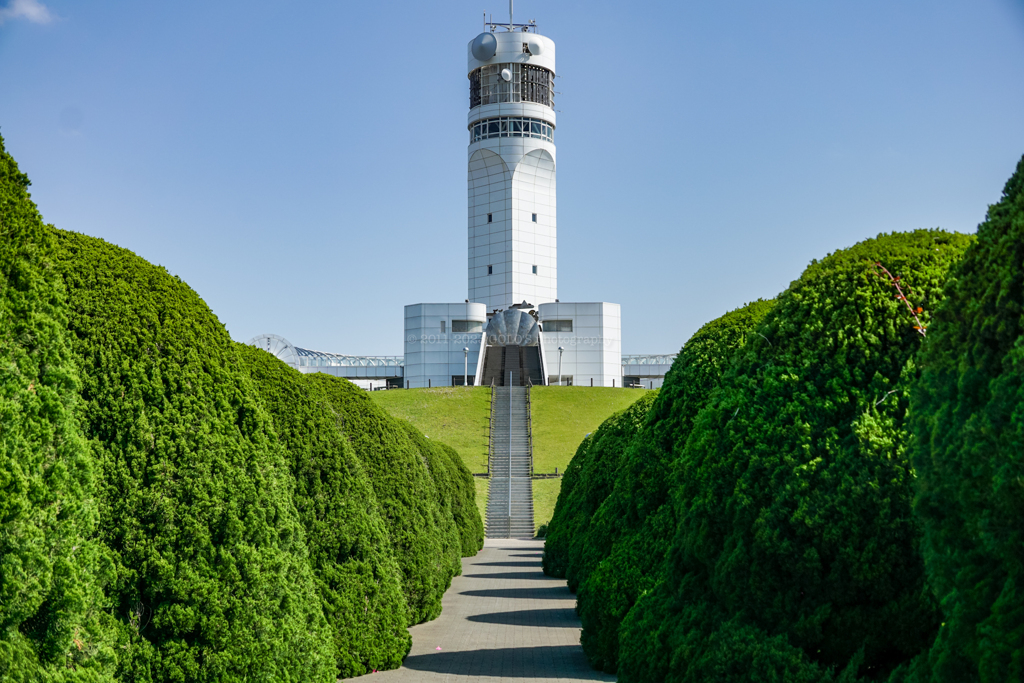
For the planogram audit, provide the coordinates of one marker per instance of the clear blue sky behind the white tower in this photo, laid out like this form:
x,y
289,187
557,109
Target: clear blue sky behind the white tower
x,y
304,165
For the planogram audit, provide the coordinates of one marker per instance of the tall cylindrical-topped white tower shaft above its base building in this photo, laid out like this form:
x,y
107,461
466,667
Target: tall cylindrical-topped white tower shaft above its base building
x,y
513,227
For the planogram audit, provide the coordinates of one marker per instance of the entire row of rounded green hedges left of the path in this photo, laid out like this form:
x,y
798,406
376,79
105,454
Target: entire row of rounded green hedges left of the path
x,y
178,507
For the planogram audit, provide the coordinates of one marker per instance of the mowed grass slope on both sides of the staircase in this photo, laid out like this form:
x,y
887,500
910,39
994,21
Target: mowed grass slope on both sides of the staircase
x,y
562,417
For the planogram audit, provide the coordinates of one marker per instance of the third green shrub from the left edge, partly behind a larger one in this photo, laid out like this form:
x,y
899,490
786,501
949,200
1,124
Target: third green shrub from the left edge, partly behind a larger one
x,y
350,548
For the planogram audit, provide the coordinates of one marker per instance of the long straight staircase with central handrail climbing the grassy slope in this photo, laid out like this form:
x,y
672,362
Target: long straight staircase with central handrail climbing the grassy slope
x,y
510,495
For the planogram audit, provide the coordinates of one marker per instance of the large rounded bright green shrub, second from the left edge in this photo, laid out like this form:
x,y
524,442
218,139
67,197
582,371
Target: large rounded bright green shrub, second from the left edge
x,y
214,581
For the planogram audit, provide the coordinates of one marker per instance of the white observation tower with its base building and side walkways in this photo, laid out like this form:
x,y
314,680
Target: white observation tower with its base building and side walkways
x,y
513,330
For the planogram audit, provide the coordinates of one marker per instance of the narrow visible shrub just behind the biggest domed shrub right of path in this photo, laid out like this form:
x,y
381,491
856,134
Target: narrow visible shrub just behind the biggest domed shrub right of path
x,y
626,541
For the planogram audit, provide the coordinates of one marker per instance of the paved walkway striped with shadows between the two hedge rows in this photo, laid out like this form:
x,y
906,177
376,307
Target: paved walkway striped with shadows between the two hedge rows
x,y
503,621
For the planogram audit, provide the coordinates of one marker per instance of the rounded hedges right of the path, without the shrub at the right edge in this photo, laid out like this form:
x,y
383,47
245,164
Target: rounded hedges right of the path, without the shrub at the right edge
x,y
763,531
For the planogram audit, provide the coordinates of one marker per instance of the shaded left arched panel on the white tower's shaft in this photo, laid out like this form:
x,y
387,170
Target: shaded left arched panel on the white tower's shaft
x,y
490,228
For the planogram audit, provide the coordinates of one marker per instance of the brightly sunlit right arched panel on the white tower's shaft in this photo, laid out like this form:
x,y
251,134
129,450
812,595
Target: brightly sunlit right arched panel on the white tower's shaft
x,y
534,225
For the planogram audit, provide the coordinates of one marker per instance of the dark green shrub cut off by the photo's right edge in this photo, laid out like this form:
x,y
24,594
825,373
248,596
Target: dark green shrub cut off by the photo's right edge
x,y
968,415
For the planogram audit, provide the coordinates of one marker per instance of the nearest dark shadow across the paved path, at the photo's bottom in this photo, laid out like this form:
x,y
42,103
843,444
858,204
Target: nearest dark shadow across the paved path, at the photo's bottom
x,y
540,662
